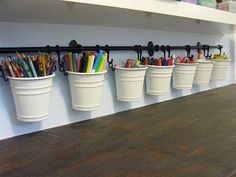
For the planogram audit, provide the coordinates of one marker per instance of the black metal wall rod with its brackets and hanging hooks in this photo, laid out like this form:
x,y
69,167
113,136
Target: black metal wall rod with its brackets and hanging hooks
x,y
75,47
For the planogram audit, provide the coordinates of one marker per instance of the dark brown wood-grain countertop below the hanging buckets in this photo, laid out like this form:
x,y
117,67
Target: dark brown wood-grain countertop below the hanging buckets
x,y
193,136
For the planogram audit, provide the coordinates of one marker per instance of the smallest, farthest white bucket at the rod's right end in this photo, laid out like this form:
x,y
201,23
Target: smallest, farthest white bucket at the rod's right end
x,y
220,69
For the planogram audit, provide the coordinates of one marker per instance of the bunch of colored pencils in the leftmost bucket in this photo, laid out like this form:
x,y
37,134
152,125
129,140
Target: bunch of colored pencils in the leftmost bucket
x,y
27,66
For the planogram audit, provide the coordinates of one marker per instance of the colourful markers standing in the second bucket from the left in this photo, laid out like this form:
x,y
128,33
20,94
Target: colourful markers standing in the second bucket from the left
x,y
89,62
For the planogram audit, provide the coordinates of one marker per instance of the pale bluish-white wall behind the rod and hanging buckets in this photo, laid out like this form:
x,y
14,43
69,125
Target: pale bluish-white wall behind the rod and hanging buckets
x,y
29,34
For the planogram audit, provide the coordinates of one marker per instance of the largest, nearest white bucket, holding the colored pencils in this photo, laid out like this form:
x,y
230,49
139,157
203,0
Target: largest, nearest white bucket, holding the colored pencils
x,y
32,97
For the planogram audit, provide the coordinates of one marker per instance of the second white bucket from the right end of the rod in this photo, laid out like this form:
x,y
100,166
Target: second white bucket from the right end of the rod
x,y
203,73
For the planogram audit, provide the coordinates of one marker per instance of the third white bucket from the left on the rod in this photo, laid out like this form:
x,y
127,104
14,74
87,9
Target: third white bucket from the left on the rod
x,y
129,83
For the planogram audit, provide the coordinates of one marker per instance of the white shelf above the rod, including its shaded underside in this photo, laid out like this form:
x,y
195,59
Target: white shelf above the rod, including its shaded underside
x,y
167,15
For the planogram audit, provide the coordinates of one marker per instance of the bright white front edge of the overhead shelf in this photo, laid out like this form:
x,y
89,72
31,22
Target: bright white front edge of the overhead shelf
x,y
168,7
